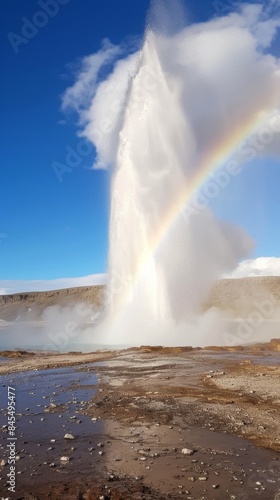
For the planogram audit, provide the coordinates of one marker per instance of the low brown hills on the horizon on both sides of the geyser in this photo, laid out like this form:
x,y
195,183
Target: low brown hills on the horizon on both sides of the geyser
x,y
237,296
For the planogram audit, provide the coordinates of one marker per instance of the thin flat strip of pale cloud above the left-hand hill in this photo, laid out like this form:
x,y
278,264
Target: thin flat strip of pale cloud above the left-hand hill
x,y
17,286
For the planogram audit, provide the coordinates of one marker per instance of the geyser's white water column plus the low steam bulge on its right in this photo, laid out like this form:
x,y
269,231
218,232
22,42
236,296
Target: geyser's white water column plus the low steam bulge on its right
x,y
160,266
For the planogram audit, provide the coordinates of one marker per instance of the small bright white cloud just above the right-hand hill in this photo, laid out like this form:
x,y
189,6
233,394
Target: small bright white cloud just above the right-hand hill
x,y
262,266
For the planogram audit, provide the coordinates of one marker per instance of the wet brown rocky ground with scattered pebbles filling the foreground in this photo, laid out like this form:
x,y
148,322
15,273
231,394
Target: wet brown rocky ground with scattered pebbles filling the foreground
x,y
147,423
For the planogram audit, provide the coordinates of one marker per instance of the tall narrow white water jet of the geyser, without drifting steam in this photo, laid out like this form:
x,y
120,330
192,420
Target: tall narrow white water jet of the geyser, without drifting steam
x,y
154,142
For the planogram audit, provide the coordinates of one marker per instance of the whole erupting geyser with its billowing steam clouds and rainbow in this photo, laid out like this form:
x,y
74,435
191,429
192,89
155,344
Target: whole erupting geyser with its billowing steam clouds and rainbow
x,y
186,105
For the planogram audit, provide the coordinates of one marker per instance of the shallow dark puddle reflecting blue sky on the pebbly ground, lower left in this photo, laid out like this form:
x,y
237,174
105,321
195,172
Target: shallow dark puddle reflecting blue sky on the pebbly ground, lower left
x,y
49,405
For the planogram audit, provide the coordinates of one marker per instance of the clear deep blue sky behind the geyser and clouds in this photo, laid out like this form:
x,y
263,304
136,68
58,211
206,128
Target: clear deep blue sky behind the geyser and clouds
x,y
51,229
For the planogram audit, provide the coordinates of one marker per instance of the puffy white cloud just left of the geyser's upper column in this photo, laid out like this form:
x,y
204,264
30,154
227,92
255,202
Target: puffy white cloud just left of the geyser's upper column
x,y
99,102
